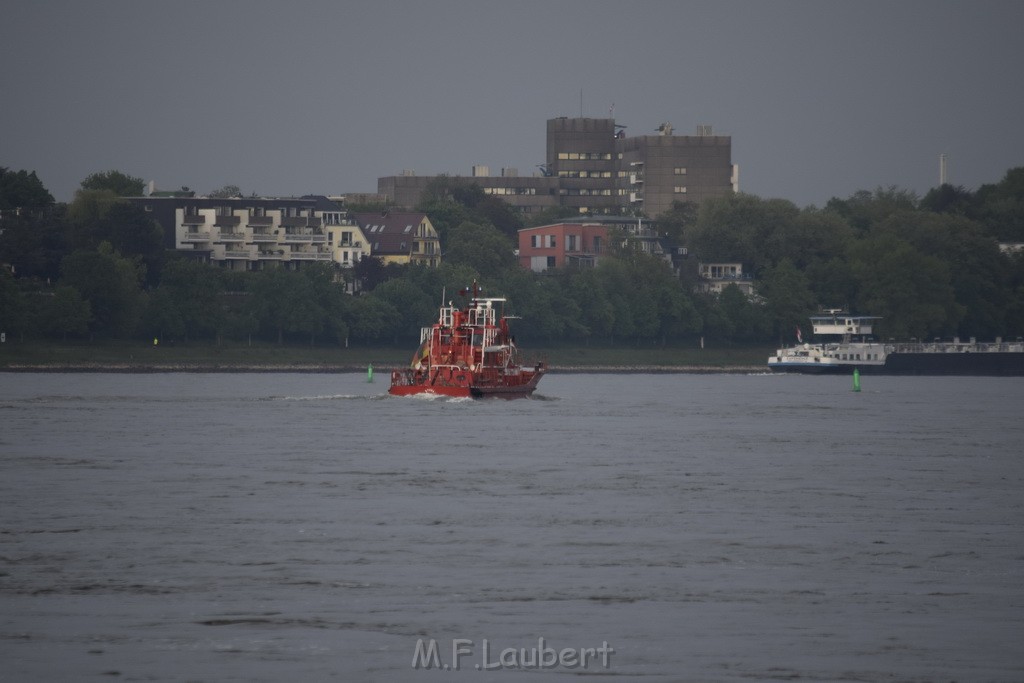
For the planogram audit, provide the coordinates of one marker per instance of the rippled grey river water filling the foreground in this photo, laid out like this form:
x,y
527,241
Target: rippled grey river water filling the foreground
x,y
662,528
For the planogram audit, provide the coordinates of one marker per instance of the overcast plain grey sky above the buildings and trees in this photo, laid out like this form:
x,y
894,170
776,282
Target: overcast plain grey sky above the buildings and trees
x,y
822,98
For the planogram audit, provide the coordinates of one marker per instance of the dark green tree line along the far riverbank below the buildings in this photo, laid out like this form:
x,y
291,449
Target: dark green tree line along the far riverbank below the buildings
x,y
930,268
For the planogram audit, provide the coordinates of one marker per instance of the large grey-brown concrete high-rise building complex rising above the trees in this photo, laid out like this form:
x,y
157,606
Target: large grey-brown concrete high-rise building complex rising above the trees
x,y
594,167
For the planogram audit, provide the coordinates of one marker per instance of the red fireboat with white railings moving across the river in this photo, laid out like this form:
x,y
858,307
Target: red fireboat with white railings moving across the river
x,y
468,353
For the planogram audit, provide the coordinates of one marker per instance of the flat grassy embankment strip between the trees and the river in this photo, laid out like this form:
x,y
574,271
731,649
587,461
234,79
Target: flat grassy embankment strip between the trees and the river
x,y
140,357
